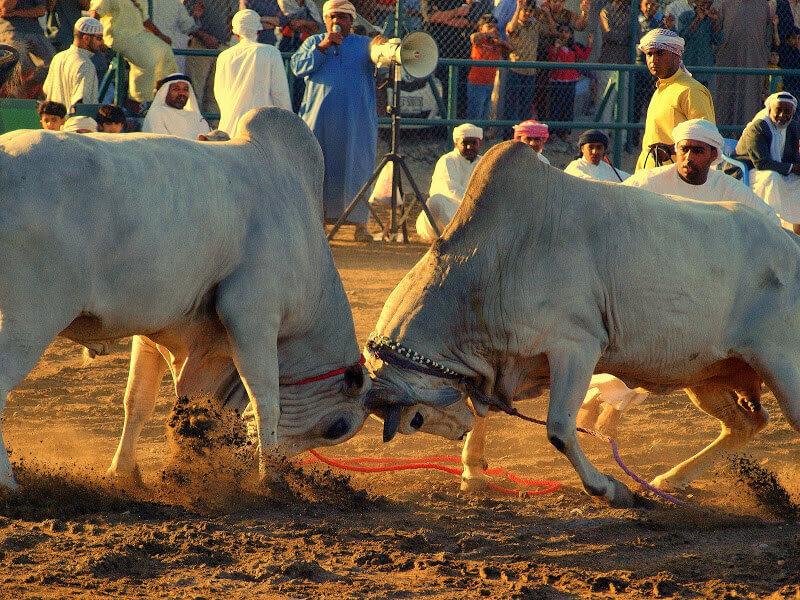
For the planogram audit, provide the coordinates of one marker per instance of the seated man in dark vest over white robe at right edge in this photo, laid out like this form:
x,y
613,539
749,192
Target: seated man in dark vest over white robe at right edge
x,y
769,144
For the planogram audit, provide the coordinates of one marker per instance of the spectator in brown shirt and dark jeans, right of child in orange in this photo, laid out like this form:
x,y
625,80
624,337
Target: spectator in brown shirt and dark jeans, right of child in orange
x,y
524,31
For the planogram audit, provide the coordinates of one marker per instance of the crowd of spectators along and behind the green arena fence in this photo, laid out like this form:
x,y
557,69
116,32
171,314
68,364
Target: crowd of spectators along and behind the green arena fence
x,y
337,98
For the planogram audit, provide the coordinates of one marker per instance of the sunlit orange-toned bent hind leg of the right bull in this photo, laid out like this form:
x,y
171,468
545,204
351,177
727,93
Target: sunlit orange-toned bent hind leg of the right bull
x,y
740,421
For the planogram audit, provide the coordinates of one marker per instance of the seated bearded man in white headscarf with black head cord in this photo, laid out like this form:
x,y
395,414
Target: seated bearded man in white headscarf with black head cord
x,y
174,110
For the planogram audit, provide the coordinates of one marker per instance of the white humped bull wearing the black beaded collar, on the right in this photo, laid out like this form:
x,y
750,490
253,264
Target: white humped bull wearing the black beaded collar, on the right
x,y
543,279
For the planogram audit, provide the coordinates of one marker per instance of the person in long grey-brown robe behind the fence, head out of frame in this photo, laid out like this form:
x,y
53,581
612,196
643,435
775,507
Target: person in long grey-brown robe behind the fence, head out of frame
x,y
747,39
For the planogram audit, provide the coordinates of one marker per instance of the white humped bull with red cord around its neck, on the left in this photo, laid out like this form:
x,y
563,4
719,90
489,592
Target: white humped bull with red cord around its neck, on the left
x,y
215,251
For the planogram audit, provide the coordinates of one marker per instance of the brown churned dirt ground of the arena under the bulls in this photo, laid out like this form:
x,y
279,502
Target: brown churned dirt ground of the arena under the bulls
x,y
410,534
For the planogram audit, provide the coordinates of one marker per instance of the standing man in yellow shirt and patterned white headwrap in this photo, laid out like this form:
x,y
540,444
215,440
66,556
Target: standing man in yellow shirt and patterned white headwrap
x,y
678,97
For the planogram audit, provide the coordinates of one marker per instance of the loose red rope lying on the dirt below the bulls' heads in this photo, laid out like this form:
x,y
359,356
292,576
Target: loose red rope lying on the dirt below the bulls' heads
x,y
406,464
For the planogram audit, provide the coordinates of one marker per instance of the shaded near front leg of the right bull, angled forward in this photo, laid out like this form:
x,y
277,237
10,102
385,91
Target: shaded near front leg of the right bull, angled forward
x,y
570,374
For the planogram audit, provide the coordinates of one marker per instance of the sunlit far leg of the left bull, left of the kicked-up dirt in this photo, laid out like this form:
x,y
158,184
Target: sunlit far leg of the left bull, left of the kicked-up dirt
x,y
144,378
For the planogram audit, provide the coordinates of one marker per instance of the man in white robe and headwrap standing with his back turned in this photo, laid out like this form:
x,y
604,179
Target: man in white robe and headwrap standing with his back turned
x,y
248,75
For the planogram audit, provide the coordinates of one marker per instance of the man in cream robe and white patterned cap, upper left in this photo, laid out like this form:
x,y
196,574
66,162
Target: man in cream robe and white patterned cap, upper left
x,y
72,77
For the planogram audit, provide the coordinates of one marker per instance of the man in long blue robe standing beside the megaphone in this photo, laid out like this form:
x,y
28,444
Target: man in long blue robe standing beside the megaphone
x,y
339,107
